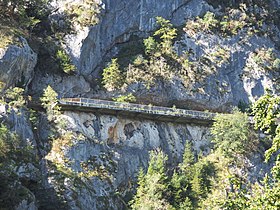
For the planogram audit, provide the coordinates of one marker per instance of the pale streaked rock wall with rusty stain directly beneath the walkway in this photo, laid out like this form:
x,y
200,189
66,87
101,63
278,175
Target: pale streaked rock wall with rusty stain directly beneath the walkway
x,y
120,147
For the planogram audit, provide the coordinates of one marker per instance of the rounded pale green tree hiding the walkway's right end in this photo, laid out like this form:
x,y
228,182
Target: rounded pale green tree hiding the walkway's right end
x,y
232,134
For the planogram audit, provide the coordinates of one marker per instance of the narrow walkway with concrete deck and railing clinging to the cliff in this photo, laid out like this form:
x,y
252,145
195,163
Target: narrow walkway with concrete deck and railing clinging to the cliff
x,y
136,111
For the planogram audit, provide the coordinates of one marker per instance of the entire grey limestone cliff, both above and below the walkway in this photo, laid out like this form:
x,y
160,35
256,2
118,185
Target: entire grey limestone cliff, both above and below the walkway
x,y
92,163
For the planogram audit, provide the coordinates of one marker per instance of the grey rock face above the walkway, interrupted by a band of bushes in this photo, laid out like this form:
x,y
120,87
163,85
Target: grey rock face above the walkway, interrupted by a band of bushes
x,y
229,85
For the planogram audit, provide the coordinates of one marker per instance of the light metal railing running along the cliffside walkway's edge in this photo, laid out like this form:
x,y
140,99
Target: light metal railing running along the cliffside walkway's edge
x,y
130,107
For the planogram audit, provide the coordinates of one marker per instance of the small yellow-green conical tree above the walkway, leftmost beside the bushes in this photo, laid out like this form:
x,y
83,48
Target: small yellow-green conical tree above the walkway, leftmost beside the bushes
x,y
112,76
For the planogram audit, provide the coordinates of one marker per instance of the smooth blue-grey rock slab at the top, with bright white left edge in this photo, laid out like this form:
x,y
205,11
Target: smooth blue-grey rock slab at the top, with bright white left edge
x,y
122,19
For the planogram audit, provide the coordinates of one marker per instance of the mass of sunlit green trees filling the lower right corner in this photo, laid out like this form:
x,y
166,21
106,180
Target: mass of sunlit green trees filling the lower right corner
x,y
214,181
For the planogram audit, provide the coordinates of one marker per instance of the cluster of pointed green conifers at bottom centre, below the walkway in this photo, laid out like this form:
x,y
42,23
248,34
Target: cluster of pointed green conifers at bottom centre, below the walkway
x,y
188,185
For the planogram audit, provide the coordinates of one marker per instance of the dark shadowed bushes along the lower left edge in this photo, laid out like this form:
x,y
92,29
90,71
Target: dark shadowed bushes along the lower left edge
x,y
13,154
